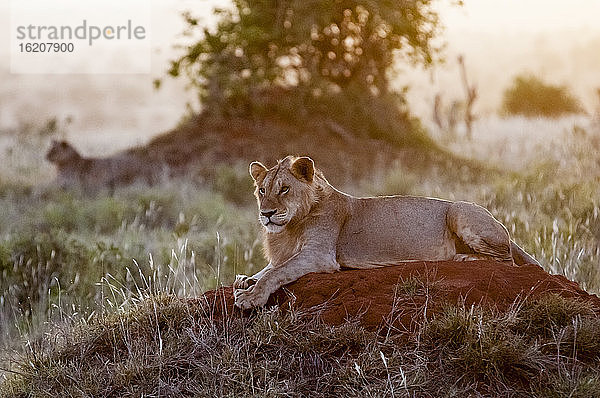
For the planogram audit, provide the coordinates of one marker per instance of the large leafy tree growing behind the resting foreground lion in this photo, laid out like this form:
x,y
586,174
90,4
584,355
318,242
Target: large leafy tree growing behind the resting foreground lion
x,y
309,51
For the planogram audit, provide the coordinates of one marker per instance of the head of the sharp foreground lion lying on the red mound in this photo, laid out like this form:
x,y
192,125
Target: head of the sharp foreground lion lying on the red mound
x,y
286,192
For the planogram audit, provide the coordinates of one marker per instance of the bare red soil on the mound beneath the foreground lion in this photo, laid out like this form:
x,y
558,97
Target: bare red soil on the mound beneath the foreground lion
x,y
398,296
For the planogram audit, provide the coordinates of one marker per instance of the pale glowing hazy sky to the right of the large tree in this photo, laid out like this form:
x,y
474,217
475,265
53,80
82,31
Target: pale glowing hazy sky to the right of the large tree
x,y
557,40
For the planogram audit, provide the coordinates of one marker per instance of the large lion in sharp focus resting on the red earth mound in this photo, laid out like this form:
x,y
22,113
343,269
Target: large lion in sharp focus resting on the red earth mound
x,y
310,226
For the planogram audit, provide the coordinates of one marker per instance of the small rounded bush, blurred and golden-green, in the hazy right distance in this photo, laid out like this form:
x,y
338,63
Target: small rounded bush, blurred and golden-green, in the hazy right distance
x,y
530,96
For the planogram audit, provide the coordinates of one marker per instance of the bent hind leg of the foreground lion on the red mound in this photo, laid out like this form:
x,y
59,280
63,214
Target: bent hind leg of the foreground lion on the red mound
x,y
480,231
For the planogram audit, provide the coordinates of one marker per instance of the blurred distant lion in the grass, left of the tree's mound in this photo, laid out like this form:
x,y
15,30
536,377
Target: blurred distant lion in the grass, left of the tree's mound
x,y
94,173
